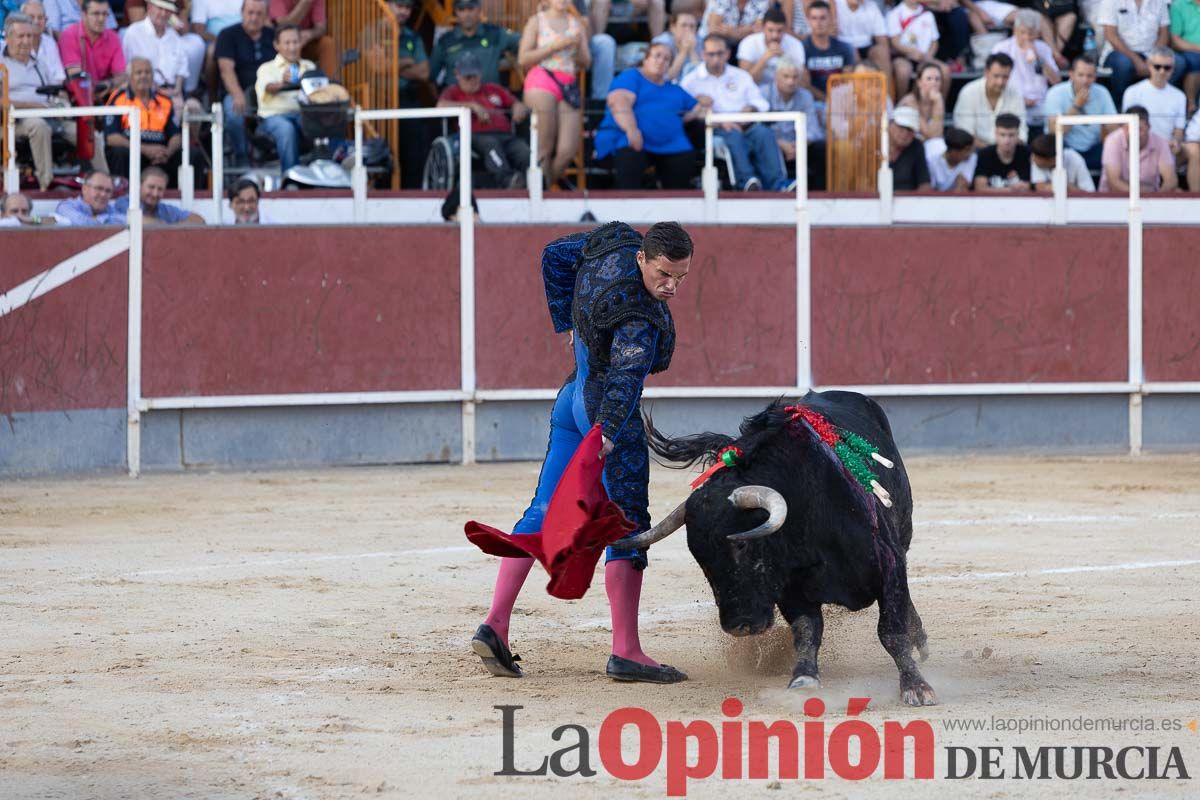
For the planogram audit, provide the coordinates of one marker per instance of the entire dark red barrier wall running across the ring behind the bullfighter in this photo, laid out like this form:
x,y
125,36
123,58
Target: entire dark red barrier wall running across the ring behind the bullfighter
x,y
323,310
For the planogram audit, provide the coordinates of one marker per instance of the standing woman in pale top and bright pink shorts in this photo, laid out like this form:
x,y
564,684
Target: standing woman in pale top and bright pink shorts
x,y
554,49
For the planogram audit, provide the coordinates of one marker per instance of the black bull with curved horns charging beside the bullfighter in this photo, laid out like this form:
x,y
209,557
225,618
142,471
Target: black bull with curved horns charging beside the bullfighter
x,y
789,528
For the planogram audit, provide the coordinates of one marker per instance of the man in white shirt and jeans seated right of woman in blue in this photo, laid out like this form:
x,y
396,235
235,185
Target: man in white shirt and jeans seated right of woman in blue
x,y
729,89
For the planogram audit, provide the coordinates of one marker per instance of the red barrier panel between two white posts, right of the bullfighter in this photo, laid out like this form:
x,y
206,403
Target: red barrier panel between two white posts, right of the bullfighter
x,y
969,305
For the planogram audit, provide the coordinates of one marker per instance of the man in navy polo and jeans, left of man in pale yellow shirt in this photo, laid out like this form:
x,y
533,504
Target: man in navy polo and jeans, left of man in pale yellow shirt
x,y
241,51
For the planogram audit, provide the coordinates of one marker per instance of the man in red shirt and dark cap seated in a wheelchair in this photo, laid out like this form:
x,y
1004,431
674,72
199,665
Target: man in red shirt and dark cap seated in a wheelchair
x,y
495,110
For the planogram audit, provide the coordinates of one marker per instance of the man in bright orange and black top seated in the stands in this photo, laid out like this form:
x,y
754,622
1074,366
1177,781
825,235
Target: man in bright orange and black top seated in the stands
x,y
161,137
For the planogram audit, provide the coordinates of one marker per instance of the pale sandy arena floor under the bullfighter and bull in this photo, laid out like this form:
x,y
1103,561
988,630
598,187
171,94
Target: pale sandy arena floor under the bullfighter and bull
x,y
304,635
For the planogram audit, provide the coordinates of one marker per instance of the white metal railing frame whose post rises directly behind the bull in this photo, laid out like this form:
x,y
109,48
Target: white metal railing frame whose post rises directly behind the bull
x,y
803,234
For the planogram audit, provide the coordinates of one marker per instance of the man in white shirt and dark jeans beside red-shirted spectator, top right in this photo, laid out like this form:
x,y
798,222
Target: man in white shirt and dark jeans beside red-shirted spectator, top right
x,y
1132,29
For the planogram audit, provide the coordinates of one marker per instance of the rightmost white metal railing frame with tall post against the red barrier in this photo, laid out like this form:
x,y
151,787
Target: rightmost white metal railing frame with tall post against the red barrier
x,y
1135,294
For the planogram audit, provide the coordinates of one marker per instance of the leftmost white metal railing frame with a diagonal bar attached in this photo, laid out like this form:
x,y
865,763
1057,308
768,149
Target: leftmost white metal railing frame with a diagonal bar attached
x,y
79,267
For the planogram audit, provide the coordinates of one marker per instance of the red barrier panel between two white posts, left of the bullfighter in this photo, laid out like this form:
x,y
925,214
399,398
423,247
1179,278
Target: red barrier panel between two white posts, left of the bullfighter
x,y
301,310
